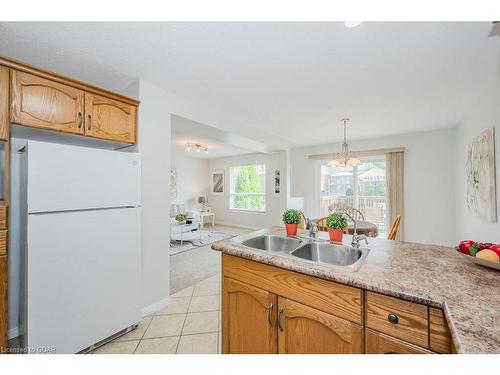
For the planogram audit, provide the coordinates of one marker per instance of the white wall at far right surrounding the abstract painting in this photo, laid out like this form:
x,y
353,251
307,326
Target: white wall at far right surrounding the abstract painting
x,y
484,114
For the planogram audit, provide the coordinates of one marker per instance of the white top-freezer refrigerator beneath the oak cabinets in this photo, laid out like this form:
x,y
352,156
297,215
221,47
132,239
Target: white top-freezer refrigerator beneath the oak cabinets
x,y
82,245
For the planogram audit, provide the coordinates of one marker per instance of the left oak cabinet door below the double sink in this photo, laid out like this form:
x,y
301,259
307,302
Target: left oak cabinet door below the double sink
x,y
248,319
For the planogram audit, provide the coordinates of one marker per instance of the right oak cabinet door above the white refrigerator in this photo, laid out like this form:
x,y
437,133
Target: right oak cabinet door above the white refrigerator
x,y
109,119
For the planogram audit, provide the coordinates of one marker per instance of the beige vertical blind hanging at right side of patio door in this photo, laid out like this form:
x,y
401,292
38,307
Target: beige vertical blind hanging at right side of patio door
x,y
395,189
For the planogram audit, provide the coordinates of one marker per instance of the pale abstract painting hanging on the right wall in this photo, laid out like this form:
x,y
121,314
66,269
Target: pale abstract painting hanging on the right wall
x,y
480,172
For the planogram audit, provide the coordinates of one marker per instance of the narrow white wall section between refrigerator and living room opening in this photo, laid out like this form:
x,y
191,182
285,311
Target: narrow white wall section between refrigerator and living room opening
x,y
154,146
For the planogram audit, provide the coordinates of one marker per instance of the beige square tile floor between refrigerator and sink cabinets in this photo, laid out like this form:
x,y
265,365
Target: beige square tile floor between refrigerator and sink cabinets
x,y
190,324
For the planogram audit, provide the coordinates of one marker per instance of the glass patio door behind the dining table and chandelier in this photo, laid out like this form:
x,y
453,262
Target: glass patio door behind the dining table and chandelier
x,y
362,187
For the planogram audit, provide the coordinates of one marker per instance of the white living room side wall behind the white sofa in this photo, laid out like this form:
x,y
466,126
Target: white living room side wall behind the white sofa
x,y
191,178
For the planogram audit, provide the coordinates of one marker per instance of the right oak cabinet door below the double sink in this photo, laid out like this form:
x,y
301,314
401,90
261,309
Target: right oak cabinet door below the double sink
x,y
305,330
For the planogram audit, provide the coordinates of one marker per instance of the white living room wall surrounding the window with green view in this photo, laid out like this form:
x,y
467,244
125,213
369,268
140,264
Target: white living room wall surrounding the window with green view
x,y
274,205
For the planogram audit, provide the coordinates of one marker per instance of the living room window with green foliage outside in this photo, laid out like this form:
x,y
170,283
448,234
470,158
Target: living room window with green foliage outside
x,y
248,188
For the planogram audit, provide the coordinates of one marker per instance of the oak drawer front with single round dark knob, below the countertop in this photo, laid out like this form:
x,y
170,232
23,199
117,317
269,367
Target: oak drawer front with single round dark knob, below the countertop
x,y
402,319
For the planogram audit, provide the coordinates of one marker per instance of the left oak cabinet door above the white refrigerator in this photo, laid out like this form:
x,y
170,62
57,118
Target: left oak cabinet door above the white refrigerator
x,y
42,103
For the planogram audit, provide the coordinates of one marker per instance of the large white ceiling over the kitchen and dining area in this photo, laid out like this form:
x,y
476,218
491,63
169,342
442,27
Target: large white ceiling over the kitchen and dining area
x,y
293,80
